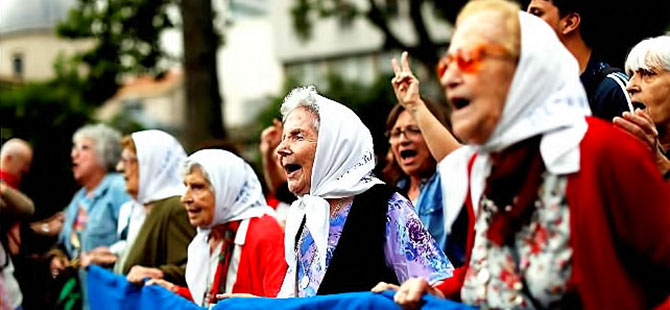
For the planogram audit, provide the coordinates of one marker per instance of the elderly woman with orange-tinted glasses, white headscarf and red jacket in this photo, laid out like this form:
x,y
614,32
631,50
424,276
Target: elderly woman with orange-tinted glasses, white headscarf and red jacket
x,y
565,218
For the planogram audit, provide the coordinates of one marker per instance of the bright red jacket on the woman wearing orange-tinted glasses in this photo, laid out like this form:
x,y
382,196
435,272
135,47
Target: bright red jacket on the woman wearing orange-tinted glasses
x,y
619,224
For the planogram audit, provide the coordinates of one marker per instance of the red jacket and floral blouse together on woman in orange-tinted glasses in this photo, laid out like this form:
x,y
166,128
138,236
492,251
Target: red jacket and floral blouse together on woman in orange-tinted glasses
x,y
599,237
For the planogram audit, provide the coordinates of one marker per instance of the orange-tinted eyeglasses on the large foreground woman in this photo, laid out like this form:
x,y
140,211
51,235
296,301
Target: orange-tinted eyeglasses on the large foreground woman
x,y
469,61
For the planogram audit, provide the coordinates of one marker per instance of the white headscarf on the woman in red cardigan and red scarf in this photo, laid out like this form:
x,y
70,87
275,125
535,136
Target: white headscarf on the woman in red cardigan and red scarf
x,y
237,195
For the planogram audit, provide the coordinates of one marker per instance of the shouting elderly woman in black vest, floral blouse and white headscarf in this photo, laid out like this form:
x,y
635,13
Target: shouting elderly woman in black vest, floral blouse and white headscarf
x,y
347,230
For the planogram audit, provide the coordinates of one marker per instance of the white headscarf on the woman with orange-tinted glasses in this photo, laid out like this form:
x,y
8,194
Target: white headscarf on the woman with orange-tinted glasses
x,y
546,97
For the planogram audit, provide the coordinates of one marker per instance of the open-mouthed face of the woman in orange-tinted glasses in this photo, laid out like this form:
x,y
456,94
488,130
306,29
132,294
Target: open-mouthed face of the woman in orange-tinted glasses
x,y
478,75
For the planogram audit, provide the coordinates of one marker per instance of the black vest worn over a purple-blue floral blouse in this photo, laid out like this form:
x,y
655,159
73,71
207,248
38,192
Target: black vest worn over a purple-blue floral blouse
x,y
358,262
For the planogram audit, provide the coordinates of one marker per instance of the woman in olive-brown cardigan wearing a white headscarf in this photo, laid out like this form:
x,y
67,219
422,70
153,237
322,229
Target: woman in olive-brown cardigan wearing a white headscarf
x,y
160,231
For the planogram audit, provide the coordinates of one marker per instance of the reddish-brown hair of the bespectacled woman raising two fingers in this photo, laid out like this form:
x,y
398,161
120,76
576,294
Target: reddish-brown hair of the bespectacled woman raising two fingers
x,y
392,172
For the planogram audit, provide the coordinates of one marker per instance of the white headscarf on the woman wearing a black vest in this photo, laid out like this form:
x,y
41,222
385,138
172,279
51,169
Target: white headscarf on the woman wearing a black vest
x,y
342,167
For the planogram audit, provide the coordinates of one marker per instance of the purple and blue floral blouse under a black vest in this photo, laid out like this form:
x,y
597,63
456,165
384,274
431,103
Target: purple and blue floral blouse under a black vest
x,y
409,249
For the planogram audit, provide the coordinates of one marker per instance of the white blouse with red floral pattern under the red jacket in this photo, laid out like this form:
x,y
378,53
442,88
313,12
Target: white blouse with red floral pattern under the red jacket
x,y
537,263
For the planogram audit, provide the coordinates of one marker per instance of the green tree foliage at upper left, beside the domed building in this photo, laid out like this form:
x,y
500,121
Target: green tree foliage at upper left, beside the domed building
x,y
126,35
